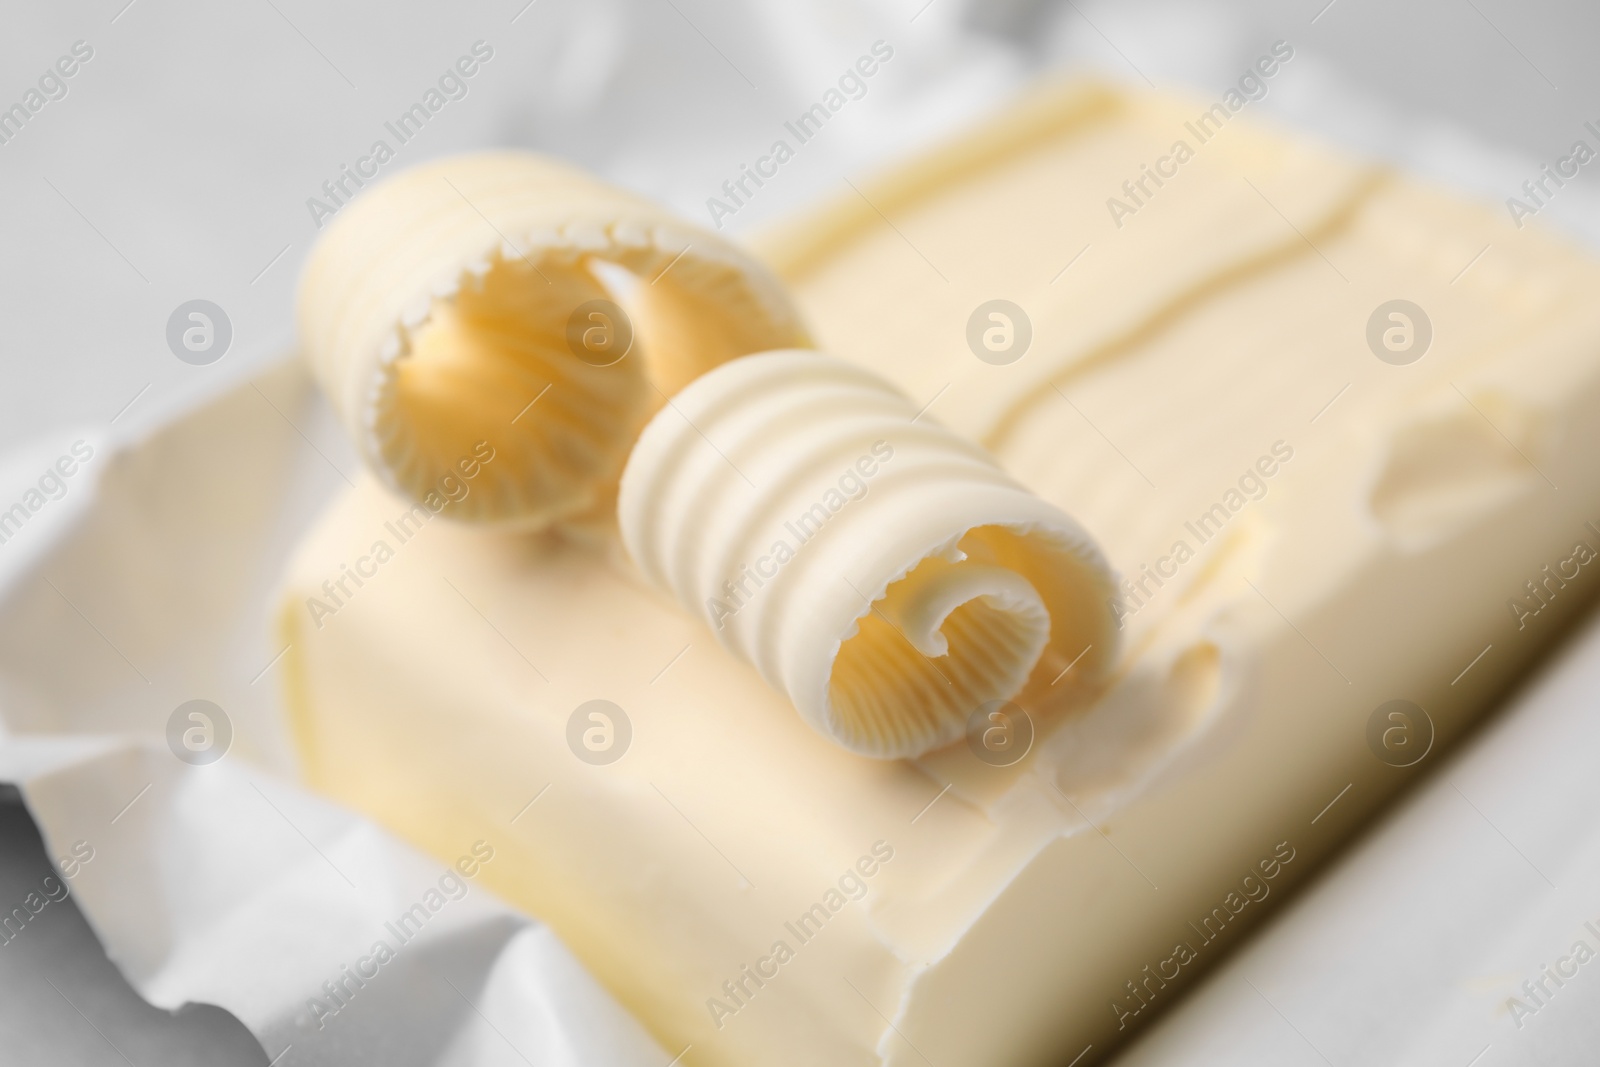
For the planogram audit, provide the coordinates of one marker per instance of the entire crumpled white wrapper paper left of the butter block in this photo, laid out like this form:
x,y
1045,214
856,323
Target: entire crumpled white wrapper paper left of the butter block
x,y
207,876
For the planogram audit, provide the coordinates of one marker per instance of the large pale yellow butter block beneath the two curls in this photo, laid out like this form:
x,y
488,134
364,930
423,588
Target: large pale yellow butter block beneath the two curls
x,y
1308,526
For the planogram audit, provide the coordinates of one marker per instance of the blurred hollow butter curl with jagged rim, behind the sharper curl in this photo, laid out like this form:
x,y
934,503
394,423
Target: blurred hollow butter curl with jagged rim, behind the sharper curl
x,y
474,306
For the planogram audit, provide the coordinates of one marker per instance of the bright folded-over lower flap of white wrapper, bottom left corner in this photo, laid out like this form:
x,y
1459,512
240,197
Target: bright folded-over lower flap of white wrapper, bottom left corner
x,y
327,938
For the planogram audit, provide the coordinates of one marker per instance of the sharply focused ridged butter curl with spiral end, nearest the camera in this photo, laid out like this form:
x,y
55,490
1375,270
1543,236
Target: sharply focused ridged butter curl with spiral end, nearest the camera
x,y
878,569
